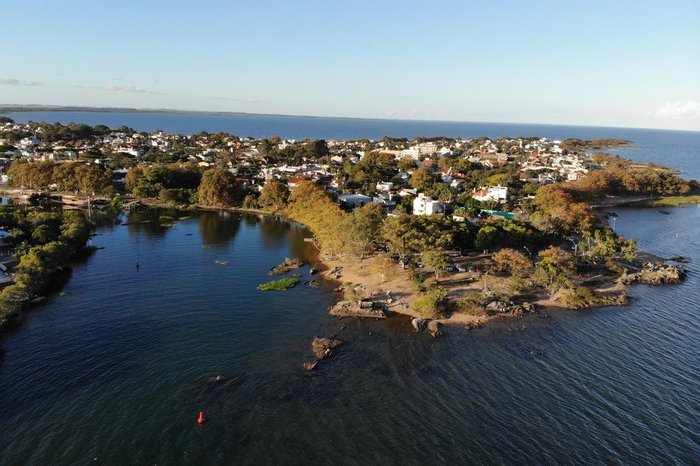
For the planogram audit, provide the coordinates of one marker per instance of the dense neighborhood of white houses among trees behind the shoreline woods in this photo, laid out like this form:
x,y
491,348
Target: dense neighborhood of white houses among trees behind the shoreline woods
x,y
423,176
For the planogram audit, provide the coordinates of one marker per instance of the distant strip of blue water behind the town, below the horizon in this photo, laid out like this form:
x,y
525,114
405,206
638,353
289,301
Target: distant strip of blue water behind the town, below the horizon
x,y
654,145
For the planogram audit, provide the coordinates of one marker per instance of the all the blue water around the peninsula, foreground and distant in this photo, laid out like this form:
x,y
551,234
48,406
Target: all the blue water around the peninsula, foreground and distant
x,y
115,366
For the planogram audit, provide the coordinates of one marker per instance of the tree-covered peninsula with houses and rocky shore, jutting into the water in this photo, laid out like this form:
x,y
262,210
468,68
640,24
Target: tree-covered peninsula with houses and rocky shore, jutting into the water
x,y
511,226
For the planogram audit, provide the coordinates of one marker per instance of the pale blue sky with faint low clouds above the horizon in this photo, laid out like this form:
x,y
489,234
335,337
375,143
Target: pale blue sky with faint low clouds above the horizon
x,y
604,63
